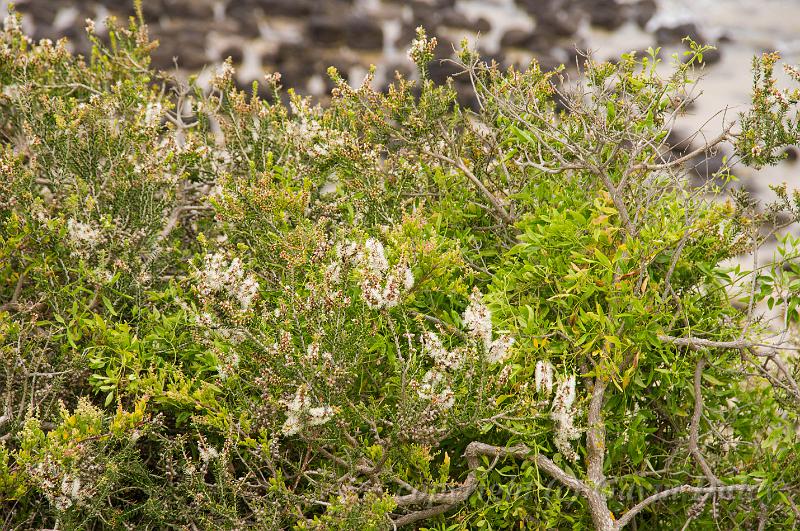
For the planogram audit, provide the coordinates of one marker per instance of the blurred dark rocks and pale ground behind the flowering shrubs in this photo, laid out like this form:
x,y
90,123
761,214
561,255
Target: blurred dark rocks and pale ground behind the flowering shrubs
x,y
301,38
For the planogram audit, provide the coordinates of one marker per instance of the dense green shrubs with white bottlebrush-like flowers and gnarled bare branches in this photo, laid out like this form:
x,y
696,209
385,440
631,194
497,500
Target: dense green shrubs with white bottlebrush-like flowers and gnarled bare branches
x,y
221,312
